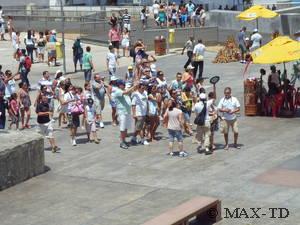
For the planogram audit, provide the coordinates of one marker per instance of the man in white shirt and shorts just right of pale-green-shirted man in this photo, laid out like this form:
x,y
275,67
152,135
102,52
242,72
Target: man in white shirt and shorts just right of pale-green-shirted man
x,y
139,112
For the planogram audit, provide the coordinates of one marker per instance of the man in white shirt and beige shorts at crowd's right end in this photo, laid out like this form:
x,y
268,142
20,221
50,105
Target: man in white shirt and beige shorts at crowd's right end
x,y
229,106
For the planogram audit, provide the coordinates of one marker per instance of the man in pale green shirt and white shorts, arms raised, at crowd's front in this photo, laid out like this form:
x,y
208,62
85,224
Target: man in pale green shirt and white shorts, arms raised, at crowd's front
x,y
123,105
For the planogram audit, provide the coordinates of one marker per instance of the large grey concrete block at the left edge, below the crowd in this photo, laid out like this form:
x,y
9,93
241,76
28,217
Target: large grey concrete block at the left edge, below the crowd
x,y
21,157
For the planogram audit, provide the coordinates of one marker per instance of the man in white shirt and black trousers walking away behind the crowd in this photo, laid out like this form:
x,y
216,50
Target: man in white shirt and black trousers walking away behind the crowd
x,y
198,58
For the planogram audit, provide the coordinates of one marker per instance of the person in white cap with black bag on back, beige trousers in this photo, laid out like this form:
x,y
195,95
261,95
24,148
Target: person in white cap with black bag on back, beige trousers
x,y
203,130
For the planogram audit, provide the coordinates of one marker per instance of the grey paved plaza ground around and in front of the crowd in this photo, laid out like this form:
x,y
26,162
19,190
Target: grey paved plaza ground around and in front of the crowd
x,y
103,185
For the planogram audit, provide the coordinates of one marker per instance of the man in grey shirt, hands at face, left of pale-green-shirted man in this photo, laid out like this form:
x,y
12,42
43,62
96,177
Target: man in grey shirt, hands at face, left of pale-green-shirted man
x,y
98,91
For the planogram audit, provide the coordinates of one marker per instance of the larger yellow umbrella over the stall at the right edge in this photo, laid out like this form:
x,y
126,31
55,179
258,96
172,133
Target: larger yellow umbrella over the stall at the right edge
x,y
280,50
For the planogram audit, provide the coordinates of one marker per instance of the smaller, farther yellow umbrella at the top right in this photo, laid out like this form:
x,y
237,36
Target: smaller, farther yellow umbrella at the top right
x,y
255,12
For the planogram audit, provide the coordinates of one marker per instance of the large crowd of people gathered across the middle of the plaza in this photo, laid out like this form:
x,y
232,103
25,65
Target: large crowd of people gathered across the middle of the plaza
x,y
141,100
